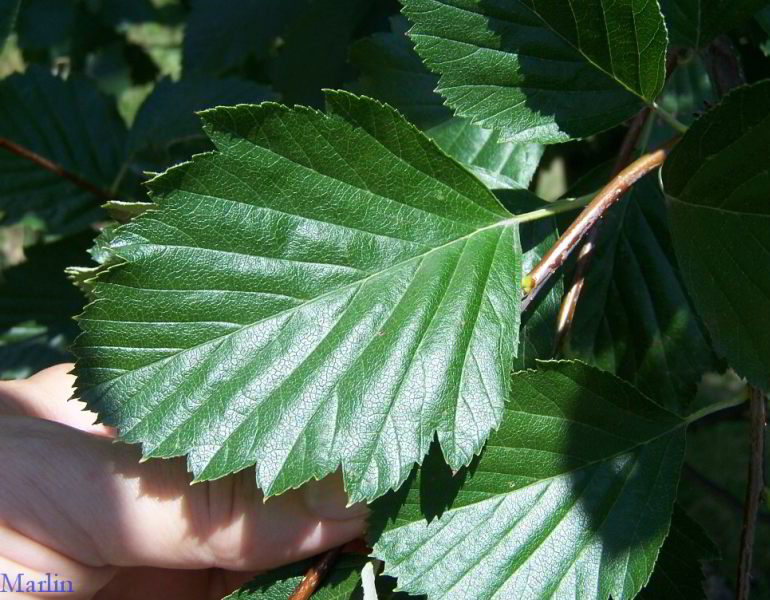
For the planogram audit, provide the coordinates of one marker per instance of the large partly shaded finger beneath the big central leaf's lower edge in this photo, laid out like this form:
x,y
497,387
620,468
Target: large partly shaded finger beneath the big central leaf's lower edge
x,y
88,498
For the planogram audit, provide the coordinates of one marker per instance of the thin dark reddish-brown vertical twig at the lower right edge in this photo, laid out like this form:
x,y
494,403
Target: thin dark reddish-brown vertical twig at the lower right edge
x,y
758,421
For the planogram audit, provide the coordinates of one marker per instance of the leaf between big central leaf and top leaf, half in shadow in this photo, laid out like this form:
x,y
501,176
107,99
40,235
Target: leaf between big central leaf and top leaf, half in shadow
x,y
392,72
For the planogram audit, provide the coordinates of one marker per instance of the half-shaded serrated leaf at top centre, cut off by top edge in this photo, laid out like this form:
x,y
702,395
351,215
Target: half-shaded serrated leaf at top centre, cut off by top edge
x,y
540,71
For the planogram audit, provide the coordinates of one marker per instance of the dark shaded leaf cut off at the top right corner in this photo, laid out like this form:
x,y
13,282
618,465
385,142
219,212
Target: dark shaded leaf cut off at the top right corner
x,y
696,22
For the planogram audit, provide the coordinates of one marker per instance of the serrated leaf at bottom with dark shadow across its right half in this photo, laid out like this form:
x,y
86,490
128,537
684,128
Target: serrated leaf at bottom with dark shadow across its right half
x,y
572,497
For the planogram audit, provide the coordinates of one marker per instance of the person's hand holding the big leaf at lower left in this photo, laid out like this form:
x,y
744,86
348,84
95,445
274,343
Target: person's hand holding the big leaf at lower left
x,y
75,503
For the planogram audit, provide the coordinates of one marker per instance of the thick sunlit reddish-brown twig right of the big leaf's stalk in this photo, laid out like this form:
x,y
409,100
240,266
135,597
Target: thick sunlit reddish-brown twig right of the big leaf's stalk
x,y
608,196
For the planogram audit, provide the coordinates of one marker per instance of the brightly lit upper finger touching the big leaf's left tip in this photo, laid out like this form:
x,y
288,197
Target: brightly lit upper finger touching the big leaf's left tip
x,y
46,395
